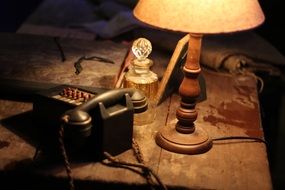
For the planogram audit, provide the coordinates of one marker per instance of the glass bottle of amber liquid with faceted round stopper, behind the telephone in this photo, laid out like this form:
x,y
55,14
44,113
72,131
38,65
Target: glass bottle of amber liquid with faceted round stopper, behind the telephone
x,y
140,76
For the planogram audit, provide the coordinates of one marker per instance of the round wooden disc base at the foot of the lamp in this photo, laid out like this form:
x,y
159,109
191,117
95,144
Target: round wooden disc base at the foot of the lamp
x,y
192,143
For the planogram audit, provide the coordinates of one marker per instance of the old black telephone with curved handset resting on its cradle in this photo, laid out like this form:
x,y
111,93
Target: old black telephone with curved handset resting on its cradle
x,y
94,120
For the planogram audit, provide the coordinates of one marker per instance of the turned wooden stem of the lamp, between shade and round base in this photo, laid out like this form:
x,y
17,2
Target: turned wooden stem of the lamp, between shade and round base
x,y
189,89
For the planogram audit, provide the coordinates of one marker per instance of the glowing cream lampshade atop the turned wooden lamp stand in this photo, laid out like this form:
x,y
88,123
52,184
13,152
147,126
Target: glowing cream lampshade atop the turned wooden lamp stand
x,y
200,16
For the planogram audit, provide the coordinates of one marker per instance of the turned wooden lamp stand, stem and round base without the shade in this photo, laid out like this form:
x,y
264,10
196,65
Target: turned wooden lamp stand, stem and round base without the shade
x,y
185,137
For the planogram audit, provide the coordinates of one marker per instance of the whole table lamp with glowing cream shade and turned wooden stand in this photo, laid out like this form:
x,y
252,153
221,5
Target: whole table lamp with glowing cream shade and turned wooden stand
x,y
196,17
